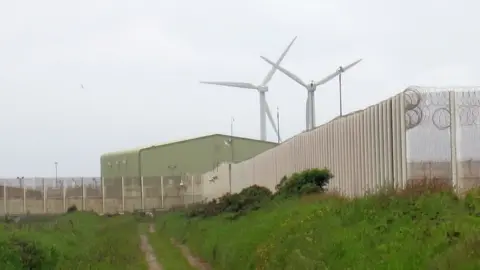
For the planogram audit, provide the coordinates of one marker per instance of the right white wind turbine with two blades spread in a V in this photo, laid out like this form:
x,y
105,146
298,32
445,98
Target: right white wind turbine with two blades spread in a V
x,y
311,87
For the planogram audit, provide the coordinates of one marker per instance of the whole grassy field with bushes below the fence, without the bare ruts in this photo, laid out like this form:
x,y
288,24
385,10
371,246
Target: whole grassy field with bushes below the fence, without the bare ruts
x,y
425,226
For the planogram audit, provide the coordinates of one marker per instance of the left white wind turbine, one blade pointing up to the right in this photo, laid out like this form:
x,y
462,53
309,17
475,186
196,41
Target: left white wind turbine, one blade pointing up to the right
x,y
262,89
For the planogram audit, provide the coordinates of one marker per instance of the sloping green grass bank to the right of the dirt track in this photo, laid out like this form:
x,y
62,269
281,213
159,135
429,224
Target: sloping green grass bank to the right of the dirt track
x,y
433,230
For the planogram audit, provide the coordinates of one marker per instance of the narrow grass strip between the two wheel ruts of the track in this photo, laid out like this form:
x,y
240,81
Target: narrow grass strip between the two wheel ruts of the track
x,y
168,255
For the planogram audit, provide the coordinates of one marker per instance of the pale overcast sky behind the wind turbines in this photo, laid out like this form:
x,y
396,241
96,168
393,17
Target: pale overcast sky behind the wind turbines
x,y
140,63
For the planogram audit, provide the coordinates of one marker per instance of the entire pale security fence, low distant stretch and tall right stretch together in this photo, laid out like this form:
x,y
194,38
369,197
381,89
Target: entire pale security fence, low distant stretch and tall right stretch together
x,y
421,133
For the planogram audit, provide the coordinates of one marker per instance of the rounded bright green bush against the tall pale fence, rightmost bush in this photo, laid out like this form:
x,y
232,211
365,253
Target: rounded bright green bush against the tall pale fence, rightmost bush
x,y
305,182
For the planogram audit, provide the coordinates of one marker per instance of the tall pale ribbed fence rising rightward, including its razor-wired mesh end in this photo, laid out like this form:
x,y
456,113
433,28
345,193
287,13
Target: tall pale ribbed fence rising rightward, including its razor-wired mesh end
x,y
428,133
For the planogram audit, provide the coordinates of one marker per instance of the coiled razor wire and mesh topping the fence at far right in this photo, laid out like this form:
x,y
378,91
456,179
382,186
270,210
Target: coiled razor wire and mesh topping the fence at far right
x,y
426,104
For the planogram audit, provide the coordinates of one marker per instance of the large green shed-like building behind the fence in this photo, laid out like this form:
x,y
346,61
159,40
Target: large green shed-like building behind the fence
x,y
194,156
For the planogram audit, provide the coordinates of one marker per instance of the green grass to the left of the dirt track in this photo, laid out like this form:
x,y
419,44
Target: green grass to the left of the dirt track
x,y
72,241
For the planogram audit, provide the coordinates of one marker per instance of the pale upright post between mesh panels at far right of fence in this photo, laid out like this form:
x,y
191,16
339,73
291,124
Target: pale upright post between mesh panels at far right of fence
x,y
453,139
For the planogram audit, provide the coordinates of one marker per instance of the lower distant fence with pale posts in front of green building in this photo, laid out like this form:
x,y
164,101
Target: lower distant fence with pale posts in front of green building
x,y
103,195
